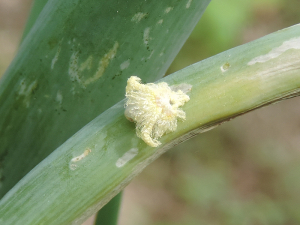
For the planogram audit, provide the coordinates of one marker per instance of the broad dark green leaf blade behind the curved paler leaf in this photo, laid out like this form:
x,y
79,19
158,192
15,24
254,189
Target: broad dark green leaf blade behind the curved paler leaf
x,y
73,65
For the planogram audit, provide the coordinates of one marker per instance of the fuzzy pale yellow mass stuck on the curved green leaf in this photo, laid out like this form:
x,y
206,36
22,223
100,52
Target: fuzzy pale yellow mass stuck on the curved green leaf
x,y
154,108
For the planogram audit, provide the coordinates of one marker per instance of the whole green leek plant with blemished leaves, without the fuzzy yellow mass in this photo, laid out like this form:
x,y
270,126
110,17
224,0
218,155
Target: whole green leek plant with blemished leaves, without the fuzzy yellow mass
x,y
67,148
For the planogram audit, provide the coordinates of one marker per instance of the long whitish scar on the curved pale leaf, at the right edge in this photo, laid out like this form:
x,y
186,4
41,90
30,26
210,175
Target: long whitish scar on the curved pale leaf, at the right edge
x,y
293,43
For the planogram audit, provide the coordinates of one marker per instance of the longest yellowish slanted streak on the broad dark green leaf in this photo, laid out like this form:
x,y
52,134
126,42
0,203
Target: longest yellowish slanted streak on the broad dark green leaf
x,y
103,64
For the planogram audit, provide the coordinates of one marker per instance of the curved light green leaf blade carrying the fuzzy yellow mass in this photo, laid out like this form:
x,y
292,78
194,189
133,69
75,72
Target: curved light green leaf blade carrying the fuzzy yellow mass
x,y
224,86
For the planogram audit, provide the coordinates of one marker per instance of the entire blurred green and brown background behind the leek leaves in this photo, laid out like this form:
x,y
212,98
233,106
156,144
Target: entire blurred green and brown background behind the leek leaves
x,y
245,172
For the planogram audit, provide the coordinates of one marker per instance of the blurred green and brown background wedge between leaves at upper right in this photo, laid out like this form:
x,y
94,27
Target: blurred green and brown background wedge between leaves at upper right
x,y
226,24
